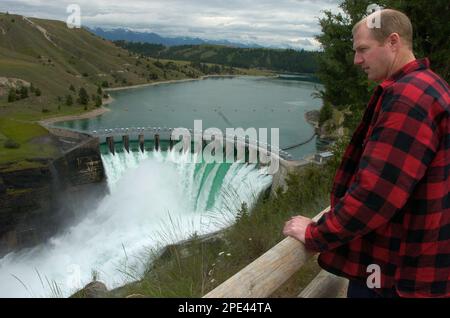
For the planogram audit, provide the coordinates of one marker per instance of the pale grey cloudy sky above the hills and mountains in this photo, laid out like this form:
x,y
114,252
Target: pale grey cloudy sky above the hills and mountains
x,y
280,23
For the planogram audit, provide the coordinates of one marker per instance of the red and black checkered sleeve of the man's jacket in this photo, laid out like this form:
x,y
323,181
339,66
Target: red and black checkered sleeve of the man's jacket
x,y
402,145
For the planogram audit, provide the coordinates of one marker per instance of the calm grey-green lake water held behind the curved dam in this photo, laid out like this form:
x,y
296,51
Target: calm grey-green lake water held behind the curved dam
x,y
222,102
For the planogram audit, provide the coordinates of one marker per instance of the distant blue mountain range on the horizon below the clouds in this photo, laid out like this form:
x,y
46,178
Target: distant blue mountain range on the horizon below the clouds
x,y
153,38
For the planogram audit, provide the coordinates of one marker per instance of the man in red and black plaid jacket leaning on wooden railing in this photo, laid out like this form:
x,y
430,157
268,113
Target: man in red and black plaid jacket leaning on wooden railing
x,y
390,202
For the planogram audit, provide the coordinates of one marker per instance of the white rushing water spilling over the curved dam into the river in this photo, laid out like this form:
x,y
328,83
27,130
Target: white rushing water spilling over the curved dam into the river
x,y
155,199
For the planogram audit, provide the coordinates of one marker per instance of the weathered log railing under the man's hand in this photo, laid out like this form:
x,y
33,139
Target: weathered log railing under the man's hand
x,y
266,274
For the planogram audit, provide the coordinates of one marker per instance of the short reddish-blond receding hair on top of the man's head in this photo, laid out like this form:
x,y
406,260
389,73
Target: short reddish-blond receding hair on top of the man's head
x,y
391,21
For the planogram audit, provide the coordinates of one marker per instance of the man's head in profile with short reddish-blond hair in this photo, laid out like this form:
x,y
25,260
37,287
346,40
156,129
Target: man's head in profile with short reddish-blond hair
x,y
381,50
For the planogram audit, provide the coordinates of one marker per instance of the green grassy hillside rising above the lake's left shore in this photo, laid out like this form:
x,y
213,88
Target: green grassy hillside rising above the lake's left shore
x,y
77,52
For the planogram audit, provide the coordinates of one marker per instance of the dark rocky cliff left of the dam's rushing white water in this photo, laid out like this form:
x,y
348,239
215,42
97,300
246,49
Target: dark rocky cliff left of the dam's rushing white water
x,y
36,202
